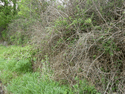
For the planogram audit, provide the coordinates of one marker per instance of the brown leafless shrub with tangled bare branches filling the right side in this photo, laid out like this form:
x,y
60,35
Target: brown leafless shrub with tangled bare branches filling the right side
x,y
97,54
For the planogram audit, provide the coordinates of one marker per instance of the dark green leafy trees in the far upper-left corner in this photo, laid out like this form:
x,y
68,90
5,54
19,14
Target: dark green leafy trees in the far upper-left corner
x,y
7,13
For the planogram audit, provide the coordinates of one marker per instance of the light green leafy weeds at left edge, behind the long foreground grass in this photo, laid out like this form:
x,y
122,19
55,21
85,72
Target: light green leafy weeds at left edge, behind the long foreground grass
x,y
10,66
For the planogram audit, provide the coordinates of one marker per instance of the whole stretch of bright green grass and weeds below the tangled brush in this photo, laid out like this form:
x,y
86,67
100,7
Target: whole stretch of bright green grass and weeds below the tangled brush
x,y
18,77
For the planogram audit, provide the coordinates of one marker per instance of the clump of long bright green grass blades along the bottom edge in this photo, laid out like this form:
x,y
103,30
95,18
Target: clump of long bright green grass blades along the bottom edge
x,y
34,84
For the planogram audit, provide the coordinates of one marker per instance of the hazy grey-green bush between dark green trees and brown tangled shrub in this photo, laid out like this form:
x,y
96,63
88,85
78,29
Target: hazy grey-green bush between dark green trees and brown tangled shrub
x,y
21,28
